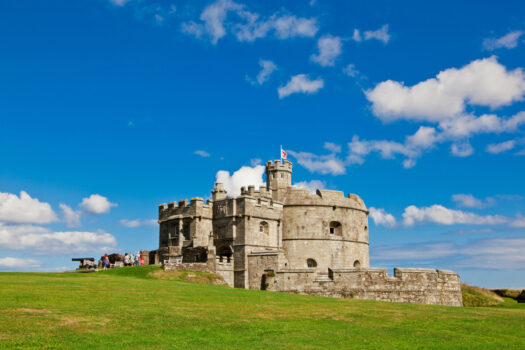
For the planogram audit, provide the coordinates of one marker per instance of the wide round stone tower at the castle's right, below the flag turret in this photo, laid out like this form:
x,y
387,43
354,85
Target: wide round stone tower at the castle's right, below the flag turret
x,y
325,230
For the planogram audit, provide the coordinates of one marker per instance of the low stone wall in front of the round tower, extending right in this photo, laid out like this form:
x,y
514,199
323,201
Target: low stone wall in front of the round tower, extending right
x,y
422,286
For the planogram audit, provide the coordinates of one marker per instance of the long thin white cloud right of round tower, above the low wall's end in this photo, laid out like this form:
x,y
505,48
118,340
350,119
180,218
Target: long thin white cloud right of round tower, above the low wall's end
x,y
440,215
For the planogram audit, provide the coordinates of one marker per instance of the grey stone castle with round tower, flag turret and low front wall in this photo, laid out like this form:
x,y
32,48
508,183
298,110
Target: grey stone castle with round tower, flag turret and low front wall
x,y
282,238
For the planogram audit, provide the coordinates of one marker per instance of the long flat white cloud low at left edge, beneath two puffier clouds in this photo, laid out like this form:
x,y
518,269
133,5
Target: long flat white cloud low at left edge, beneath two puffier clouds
x,y
41,240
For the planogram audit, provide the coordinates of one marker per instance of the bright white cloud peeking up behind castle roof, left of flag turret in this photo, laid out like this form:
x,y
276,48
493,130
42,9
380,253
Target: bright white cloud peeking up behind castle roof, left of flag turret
x,y
245,176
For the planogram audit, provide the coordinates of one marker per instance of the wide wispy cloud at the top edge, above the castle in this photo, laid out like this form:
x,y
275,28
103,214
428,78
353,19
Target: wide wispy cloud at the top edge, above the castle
x,y
248,26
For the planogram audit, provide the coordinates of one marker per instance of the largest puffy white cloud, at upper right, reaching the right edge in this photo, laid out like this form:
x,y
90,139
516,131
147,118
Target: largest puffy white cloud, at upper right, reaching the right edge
x,y
483,82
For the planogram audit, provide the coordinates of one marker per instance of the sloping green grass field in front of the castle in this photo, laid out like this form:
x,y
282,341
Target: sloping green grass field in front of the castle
x,y
142,307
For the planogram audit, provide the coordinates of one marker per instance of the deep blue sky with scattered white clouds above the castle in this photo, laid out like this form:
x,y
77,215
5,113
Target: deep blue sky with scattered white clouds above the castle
x,y
111,107
